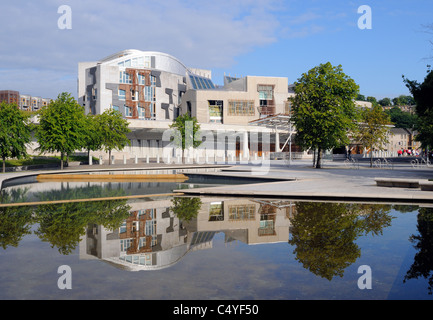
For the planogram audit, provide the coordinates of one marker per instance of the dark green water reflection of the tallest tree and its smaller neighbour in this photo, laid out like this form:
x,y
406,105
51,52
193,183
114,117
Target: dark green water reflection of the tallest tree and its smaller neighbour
x,y
324,234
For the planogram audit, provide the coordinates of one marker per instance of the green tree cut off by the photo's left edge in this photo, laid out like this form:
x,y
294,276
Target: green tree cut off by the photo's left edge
x,y
15,132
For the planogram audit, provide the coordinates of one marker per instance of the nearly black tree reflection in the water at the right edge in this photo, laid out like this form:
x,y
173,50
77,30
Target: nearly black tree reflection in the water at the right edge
x,y
423,260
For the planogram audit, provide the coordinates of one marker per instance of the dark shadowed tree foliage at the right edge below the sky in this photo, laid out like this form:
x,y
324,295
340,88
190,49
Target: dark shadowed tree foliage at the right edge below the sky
x,y
423,96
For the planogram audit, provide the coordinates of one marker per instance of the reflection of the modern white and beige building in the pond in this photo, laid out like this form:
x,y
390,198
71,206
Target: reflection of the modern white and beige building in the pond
x,y
154,238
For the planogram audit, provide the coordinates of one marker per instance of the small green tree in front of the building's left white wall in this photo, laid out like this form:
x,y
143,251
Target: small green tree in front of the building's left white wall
x,y
113,130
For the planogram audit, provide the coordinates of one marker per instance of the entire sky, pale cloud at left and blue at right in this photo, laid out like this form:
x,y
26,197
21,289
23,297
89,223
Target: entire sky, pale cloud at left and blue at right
x,y
244,37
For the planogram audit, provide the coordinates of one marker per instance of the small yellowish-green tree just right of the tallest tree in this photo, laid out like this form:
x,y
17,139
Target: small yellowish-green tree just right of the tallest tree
x,y
372,132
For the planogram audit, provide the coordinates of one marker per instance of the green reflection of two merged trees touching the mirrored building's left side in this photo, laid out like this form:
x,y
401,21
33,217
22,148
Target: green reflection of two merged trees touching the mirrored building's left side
x,y
62,225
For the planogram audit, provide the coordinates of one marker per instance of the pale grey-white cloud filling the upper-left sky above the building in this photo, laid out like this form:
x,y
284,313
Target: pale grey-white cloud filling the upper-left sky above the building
x,y
204,34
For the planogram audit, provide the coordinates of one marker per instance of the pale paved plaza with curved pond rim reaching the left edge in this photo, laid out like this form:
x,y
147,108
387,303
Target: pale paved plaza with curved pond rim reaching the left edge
x,y
297,180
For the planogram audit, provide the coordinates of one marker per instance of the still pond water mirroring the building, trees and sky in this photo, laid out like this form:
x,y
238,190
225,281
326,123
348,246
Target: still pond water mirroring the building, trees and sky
x,y
212,248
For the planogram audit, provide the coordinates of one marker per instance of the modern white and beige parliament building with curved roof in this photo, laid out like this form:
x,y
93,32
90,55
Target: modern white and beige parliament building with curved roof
x,y
246,118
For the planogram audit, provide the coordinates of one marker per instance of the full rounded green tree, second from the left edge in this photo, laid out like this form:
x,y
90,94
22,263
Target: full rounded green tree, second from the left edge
x,y
62,126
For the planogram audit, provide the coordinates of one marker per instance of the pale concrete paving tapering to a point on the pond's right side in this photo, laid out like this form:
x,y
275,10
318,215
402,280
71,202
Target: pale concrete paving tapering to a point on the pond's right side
x,y
333,181
